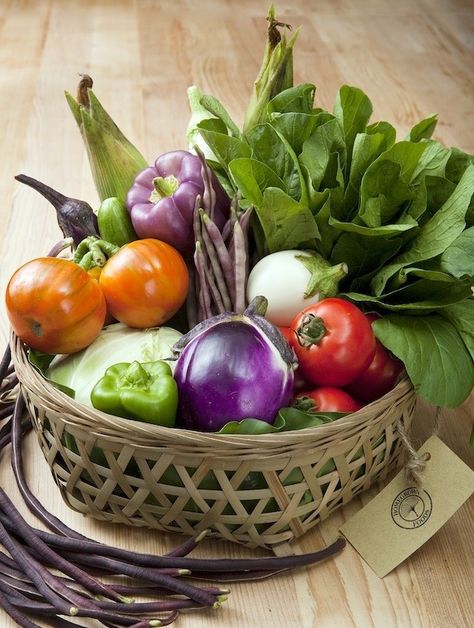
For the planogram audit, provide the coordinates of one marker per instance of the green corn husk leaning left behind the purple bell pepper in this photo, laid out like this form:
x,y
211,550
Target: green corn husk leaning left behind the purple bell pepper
x,y
114,161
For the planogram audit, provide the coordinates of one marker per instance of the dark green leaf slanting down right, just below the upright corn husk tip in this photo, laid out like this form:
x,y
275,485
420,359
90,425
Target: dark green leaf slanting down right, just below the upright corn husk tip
x,y
270,148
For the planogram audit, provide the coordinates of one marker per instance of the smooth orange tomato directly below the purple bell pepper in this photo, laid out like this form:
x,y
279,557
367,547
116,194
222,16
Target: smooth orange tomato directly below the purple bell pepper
x,y
145,283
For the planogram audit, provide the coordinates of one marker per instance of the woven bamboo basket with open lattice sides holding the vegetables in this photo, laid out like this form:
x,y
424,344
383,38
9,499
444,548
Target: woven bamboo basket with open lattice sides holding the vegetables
x,y
256,490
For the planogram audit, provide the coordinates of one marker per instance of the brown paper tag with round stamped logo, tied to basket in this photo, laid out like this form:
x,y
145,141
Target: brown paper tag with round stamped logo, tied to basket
x,y
403,516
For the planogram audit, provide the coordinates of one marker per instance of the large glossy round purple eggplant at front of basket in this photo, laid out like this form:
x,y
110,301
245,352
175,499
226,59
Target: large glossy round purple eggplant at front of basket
x,y
233,367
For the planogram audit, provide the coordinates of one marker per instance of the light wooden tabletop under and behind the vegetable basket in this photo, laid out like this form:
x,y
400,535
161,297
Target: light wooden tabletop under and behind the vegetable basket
x,y
412,58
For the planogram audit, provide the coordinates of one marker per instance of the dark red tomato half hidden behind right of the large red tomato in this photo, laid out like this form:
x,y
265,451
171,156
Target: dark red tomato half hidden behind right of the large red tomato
x,y
380,376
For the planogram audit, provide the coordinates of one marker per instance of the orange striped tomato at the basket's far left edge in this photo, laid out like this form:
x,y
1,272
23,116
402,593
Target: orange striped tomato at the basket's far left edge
x,y
54,305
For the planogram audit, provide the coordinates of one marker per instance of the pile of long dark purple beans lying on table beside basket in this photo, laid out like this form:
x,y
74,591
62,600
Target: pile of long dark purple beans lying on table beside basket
x,y
53,576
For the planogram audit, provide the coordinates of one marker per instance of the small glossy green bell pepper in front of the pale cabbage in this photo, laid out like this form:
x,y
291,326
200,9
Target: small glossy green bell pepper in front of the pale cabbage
x,y
144,391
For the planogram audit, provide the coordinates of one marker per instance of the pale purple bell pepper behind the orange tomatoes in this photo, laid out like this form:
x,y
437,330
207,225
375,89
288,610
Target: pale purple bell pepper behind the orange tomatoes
x,y
162,198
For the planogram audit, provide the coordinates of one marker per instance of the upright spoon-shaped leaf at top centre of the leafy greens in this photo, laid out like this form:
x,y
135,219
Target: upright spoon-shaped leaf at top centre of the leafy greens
x,y
353,109
